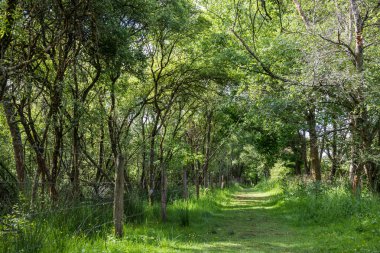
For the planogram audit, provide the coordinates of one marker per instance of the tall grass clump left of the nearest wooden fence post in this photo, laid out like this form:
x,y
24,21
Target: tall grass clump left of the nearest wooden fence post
x,y
50,230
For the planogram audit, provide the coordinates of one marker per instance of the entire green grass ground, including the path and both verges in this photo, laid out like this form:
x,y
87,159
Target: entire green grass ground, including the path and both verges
x,y
303,218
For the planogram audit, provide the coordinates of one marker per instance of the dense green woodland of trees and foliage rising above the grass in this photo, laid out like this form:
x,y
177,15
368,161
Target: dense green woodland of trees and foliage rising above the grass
x,y
159,100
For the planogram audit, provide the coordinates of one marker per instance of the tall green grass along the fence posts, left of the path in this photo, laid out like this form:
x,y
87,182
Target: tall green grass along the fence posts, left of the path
x,y
87,227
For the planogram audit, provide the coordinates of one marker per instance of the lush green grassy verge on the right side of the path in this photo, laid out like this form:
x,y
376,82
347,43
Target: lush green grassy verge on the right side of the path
x,y
327,217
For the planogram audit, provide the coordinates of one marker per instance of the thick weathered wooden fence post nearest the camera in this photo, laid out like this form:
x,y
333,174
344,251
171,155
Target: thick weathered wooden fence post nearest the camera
x,y
118,210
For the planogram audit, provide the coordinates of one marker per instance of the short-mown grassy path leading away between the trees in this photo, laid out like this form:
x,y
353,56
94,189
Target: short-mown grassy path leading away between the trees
x,y
250,223
